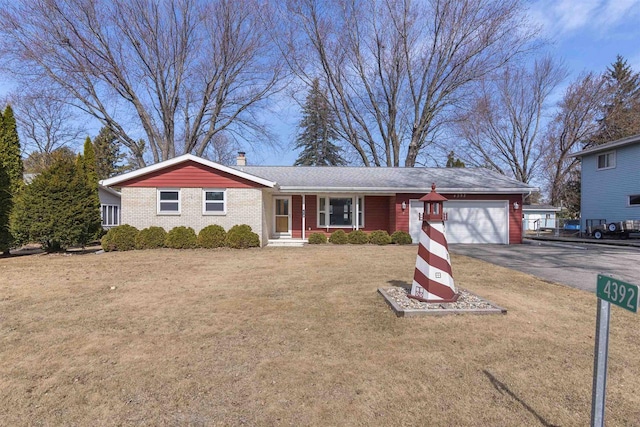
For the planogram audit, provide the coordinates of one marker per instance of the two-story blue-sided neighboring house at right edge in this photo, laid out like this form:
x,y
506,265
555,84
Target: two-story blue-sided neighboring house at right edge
x,y
611,181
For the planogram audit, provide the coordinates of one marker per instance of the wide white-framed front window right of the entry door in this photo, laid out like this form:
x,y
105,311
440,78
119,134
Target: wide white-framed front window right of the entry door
x,y
339,211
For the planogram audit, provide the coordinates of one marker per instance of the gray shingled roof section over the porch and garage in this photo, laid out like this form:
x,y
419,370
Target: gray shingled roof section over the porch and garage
x,y
387,180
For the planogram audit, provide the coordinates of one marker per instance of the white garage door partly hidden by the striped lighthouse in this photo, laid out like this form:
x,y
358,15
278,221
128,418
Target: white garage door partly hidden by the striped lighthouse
x,y
475,221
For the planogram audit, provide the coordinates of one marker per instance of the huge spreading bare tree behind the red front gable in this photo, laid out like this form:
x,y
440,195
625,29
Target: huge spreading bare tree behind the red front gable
x,y
180,70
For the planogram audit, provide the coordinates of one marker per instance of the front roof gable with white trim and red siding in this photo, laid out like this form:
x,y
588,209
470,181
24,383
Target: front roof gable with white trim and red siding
x,y
198,173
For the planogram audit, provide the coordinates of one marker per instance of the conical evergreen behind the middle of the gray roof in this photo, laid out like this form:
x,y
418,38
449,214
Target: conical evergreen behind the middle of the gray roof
x,y
318,132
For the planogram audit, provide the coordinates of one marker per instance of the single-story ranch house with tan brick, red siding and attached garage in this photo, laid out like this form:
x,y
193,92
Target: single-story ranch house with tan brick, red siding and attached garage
x,y
292,202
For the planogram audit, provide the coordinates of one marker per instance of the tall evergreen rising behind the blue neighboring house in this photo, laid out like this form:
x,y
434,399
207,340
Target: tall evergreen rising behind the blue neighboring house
x,y
621,112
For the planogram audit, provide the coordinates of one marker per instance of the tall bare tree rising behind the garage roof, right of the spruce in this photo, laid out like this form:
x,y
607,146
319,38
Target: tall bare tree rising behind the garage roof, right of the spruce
x,y
395,69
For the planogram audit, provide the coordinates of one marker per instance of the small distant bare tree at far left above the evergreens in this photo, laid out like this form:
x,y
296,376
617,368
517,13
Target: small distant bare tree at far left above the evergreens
x,y
45,120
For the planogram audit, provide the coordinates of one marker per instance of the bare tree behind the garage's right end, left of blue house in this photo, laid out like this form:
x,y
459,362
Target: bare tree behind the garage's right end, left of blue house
x,y
502,128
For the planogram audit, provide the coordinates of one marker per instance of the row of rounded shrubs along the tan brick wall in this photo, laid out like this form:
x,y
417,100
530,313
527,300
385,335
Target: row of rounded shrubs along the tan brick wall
x,y
126,238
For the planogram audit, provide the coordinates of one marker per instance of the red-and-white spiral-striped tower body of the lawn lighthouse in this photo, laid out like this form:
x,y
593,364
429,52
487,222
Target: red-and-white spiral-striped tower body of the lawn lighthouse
x,y
433,278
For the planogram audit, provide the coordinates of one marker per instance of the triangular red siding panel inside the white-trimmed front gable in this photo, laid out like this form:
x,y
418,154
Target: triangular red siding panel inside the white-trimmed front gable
x,y
190,175
